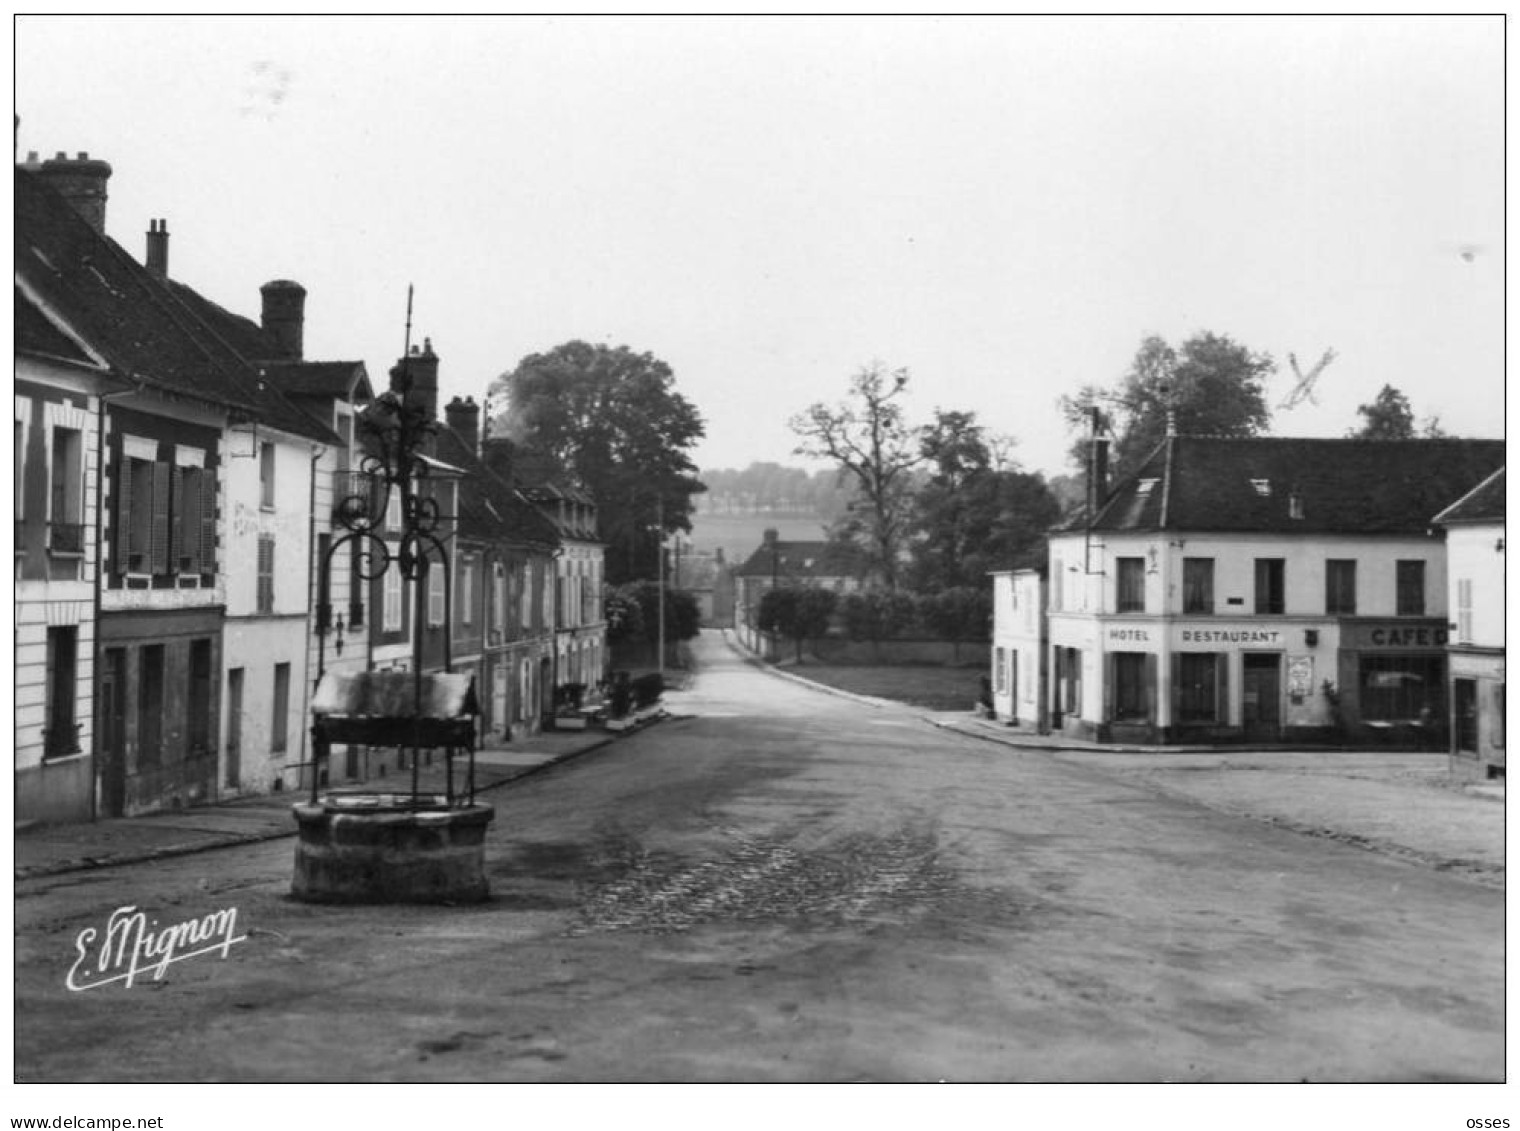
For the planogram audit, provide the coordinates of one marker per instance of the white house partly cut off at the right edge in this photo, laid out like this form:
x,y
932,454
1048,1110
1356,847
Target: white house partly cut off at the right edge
x,y
1475,548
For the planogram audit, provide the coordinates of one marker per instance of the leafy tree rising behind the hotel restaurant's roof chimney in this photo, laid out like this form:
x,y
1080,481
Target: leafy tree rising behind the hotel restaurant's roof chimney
x,y
1212,385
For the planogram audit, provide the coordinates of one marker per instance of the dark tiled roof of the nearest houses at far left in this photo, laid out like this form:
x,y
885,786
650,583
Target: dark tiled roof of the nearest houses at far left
x,y
145,331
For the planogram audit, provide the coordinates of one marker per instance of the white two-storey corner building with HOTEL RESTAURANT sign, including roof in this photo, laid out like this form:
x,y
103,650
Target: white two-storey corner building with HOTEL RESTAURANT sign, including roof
x,y
1261,591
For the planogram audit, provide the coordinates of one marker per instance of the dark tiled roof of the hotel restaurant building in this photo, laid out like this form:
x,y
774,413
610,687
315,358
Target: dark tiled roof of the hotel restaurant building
x,y
1282,486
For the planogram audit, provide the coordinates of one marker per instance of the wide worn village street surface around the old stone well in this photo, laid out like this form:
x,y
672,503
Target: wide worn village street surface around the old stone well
x,y
785,885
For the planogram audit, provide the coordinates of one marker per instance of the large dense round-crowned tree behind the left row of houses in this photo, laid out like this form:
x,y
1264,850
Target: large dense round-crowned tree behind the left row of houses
x,y
612,422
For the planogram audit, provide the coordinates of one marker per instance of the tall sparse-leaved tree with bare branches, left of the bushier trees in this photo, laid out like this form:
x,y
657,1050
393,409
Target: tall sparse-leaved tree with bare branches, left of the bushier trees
x,y
873,446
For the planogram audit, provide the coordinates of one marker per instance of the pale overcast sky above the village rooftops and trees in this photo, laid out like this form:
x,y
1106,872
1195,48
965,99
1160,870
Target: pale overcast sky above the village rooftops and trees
x,y
1004,206
